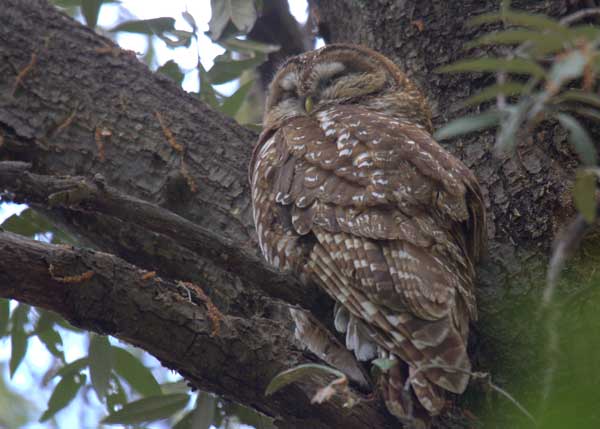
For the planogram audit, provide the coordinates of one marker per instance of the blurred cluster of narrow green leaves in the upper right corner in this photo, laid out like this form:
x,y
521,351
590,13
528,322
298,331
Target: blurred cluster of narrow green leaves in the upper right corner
x,y
549,75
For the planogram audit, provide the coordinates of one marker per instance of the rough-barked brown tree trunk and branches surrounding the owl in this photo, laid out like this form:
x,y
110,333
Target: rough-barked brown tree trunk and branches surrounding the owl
x,y
153,183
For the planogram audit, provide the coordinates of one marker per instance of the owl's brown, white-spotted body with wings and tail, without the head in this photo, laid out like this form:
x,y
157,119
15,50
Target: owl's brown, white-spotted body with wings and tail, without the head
x,y
386,221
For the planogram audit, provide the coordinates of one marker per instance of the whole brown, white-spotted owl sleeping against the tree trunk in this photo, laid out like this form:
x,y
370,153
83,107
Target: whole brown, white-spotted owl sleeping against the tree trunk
x,y
351,191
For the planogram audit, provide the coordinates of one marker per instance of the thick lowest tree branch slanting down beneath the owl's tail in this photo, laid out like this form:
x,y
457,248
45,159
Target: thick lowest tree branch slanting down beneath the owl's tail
x,y
99,292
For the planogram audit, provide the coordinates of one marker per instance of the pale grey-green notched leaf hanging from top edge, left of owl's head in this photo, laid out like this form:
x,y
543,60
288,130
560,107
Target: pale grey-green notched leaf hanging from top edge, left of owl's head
x,y
242,13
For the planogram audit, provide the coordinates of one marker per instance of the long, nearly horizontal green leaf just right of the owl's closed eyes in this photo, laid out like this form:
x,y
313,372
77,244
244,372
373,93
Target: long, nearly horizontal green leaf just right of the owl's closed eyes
x,y
488,64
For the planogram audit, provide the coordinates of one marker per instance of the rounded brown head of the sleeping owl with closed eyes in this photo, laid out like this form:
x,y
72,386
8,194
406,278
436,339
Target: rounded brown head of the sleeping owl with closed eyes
x,y
343,74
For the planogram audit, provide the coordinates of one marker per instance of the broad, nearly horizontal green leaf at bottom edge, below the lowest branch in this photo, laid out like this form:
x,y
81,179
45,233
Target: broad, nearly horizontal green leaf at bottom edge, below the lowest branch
x,y
148,409
